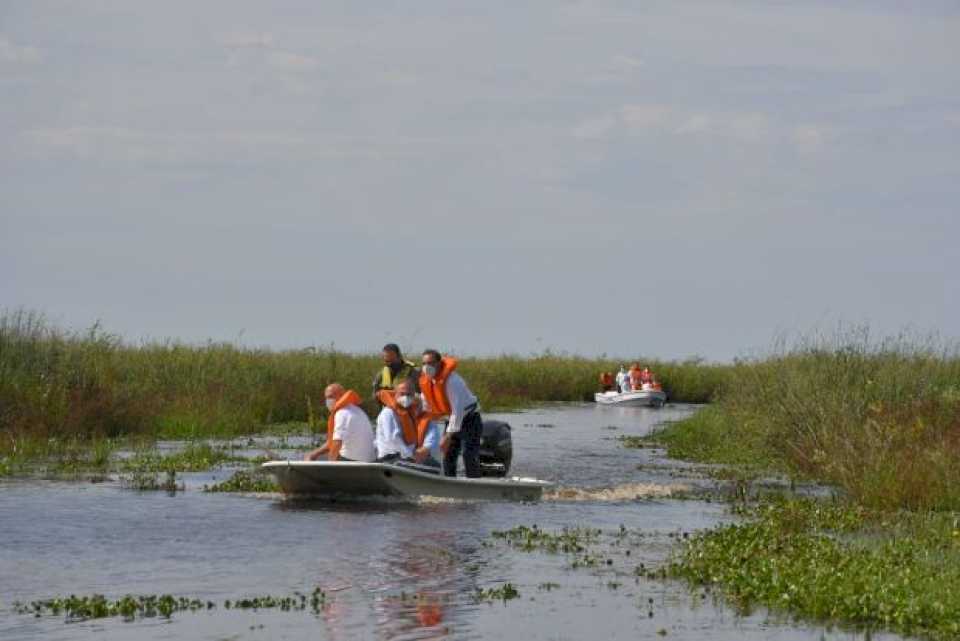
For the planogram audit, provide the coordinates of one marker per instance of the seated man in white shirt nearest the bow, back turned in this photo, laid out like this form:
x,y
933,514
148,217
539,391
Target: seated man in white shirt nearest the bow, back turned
x,y
349,432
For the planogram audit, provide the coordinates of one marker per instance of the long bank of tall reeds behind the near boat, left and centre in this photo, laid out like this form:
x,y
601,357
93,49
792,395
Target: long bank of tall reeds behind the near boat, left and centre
x,y
62,385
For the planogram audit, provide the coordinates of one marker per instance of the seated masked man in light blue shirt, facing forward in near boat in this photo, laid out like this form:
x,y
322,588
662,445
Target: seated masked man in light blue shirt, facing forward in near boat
x,y
404,431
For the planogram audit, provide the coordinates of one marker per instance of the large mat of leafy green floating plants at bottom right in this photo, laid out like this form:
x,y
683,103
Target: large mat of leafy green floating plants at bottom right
x,y
831,562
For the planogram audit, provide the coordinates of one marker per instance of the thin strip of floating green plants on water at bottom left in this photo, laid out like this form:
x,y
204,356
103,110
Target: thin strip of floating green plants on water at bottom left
x,y
129,607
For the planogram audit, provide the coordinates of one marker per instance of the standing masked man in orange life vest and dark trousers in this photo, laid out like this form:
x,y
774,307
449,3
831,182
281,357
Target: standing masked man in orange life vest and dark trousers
x,y
445,393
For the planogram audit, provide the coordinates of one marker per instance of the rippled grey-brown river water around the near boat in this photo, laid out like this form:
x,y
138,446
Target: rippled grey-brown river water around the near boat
x,y
391,571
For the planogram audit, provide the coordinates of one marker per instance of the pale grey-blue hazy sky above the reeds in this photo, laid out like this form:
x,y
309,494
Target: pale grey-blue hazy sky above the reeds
x,y
670,179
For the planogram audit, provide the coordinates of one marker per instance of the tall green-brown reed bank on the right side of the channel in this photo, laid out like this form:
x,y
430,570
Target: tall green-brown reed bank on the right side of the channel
x,y
878,419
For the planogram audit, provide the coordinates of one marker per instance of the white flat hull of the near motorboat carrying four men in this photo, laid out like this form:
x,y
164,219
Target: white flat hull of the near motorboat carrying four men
x,y
351,480
